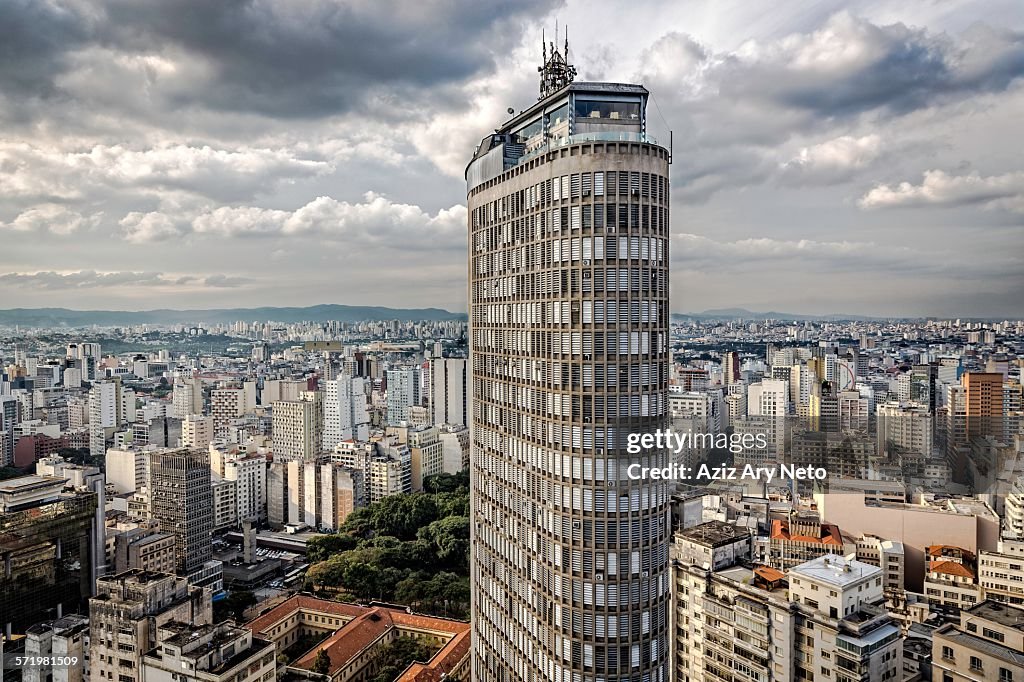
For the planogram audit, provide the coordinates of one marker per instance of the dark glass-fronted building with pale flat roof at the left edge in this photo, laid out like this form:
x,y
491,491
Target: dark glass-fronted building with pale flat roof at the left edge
x,y
49,548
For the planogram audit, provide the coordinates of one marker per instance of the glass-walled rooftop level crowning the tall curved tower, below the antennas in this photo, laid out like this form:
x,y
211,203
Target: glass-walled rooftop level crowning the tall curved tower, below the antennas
x,y
581,112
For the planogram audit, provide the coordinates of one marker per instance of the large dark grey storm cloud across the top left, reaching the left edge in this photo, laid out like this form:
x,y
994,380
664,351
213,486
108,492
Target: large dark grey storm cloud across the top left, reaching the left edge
x,y
302,59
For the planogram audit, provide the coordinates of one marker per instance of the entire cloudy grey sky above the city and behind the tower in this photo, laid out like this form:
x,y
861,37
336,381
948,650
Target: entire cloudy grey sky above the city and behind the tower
x,y
830,157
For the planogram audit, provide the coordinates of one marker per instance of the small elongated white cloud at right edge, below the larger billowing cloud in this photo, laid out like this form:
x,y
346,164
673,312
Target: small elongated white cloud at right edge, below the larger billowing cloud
x,y
941,189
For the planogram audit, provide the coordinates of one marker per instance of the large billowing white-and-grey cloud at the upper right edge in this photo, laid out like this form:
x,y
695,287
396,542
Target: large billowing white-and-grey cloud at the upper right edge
x,y
852,67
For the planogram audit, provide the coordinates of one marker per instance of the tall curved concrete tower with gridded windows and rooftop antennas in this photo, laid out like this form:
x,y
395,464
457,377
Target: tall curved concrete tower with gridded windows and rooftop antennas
x,y
569,220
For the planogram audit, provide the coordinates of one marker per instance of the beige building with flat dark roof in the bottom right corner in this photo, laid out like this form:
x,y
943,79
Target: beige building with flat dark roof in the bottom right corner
x,y
987,645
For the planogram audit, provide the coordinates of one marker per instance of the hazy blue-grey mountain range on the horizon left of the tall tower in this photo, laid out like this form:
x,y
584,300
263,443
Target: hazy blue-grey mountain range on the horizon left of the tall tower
x,y
49,318
